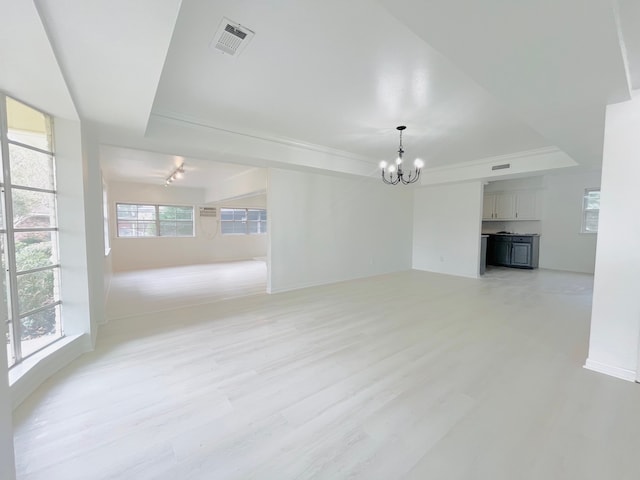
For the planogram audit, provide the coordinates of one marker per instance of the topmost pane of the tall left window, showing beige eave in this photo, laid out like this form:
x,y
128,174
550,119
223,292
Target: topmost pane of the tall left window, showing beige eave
x,y
28,126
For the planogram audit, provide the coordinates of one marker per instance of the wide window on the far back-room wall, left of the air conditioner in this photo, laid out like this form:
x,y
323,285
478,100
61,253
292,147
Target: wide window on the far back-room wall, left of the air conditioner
x,y
154,220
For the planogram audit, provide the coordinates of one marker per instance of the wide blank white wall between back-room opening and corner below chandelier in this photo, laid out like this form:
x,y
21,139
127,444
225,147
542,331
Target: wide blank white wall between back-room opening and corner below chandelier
x,y
326,229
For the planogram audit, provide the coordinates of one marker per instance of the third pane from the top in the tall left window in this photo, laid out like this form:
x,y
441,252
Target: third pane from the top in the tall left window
x,y
33,209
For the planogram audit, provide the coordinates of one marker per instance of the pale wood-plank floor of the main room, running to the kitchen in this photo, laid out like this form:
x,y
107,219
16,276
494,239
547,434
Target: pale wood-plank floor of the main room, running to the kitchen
x,y
404,376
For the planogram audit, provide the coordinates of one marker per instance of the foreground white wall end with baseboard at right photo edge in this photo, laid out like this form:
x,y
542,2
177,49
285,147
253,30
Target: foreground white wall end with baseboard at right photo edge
x,y
615,317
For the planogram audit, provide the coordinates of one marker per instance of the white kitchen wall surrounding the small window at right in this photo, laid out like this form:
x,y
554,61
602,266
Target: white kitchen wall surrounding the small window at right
x,y
562,246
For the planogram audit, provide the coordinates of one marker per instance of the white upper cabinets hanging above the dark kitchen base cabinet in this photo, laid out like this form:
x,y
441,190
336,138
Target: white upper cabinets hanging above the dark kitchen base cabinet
x,y
519,205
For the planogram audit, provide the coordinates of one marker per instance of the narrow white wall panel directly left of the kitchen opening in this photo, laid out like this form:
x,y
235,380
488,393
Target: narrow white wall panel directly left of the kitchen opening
x,y
446,228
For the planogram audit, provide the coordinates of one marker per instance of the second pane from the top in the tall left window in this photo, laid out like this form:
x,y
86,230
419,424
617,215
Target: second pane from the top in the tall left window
x,y
30,168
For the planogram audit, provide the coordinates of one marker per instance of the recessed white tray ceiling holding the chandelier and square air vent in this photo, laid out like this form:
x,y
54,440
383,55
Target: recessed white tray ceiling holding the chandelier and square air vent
x,y
333,73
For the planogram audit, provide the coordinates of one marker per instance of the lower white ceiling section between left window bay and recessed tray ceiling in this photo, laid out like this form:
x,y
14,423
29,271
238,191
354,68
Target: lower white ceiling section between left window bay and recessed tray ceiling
x,y
111,53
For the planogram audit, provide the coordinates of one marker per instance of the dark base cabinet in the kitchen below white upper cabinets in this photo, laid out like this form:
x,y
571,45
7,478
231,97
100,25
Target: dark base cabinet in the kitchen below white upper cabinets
x,y
519,251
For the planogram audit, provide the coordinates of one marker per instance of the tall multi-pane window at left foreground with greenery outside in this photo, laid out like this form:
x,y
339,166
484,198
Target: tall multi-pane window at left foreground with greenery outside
x,y
29,230
